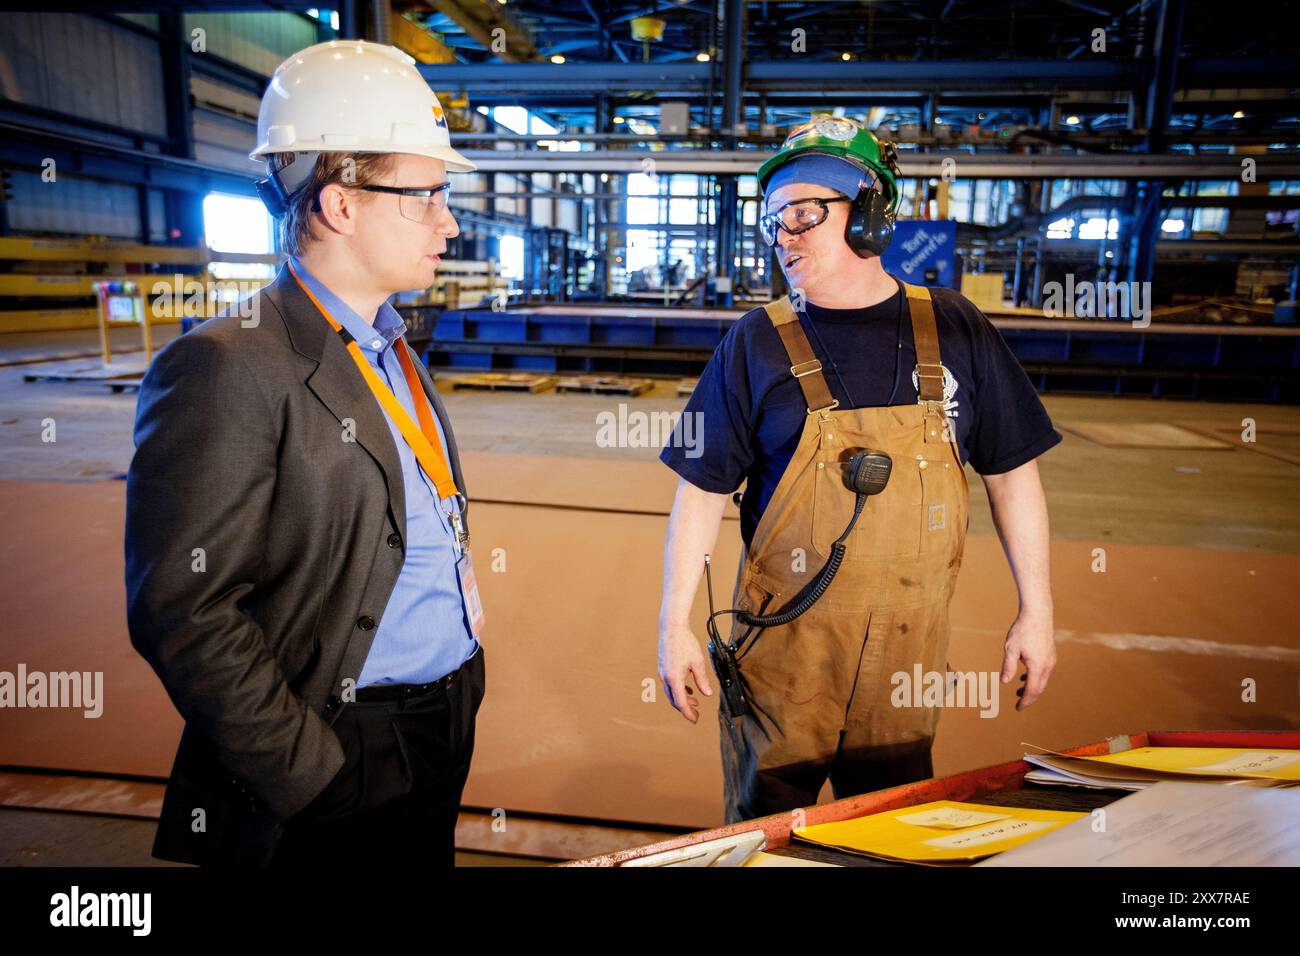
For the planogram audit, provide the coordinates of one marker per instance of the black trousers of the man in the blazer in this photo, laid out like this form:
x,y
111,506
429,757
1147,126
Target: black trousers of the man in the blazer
x,y
411,759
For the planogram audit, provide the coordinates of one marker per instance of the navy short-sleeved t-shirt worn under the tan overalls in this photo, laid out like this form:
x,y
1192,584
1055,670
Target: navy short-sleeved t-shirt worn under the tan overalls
x,y
752,409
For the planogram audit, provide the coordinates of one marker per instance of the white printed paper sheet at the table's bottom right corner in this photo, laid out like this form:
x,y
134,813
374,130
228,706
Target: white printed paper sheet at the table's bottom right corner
x,y
1176,824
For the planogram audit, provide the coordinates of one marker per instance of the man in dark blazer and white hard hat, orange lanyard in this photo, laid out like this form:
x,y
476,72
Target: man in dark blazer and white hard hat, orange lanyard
x,y
297,551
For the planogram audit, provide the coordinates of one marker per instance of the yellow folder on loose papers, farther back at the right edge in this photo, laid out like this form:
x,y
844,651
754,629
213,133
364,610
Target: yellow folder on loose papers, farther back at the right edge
x,y
1141,768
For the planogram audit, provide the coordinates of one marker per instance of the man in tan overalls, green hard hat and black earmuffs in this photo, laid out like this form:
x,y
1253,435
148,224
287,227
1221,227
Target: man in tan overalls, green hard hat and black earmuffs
x,y
852,360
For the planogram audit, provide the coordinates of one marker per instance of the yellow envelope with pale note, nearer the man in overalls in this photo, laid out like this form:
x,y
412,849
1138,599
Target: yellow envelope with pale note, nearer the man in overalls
x,y
938,833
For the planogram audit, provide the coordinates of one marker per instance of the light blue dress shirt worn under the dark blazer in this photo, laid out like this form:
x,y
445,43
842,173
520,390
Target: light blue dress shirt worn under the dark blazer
x,y
424,633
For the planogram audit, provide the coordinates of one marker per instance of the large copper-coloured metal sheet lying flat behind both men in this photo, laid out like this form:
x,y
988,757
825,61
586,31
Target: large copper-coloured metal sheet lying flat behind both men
x,y
1164,638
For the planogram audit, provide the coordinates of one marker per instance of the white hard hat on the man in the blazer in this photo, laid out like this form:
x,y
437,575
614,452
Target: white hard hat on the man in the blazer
x,y
353,97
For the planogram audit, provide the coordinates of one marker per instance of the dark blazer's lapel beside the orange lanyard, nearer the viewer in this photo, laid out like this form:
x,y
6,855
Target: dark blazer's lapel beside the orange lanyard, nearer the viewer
x,y
339,384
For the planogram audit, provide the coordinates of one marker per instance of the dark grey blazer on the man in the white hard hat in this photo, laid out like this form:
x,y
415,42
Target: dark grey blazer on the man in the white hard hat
x,y
242,452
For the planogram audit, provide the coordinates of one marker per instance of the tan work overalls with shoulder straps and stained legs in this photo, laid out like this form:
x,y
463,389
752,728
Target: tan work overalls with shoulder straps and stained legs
x,y
821,686
